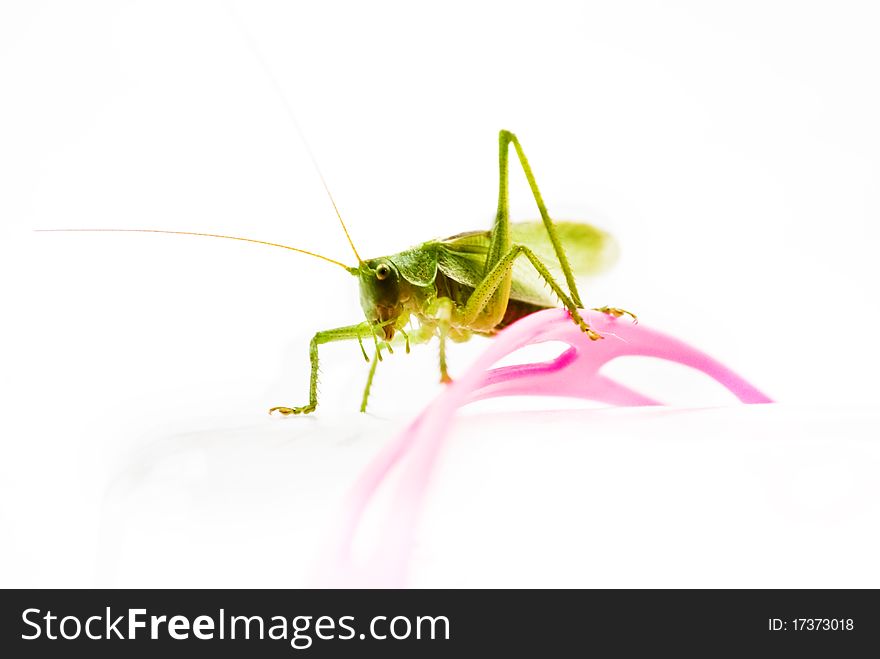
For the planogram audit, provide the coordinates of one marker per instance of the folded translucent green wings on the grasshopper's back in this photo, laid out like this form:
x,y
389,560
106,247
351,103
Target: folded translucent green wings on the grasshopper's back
x,y
589,250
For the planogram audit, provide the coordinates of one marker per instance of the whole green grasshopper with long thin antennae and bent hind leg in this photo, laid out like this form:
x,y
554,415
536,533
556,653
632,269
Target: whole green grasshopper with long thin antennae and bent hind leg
x,y
472,283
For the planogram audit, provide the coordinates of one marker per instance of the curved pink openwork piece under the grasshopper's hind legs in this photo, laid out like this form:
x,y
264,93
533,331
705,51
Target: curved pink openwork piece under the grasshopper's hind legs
x,y
574,373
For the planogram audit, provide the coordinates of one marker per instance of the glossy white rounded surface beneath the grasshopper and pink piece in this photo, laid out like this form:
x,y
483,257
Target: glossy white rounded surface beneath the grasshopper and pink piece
x,y
764,496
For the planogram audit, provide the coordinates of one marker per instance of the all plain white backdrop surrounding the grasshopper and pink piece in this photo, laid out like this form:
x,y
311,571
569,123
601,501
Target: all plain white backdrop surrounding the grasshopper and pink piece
x,y
732,148
